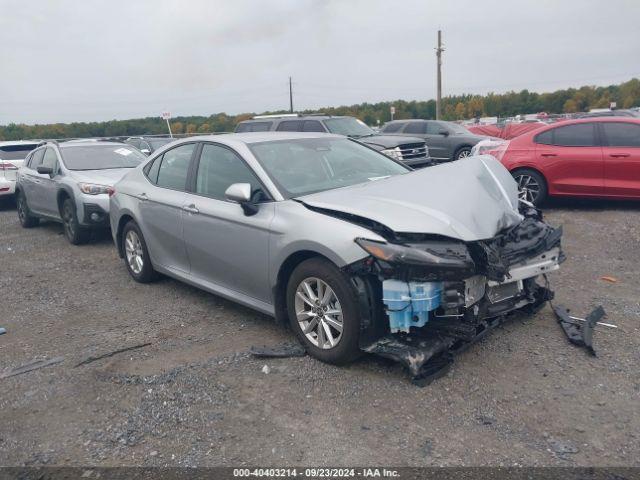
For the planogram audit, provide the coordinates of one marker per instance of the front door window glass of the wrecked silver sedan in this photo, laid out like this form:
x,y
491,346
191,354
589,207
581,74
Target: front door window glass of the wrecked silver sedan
x,y
218,169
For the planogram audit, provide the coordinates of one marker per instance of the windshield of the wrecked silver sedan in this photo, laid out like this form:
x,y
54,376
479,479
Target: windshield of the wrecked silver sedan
x,y
308,165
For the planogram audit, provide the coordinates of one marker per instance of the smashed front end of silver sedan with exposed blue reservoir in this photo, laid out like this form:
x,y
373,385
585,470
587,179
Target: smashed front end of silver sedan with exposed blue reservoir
x,y
430,297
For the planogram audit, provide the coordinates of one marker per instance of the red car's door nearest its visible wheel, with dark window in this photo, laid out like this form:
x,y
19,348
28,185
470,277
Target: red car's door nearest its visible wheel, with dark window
x,y
571,158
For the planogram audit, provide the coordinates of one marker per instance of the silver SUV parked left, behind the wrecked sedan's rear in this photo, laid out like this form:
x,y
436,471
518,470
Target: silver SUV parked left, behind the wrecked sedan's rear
x,y
70,182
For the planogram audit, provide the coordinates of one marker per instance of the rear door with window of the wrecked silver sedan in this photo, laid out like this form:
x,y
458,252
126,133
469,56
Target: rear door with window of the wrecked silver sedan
x,y
160,205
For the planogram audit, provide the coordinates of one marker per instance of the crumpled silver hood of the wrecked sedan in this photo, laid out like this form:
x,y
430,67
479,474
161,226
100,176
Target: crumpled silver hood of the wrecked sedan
x,y
470,199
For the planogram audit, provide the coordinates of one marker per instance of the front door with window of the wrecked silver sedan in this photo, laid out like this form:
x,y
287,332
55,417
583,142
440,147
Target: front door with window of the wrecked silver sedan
x,y
225,246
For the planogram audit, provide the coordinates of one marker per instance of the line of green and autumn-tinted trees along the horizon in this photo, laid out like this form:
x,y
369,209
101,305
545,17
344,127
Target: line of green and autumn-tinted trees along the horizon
x,y
454,107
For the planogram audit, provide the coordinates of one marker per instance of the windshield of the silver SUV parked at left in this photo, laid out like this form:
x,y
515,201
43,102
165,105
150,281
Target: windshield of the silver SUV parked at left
x,y
101,157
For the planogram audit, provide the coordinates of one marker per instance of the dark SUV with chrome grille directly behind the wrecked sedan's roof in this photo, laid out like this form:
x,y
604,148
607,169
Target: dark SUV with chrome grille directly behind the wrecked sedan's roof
x,y
411,151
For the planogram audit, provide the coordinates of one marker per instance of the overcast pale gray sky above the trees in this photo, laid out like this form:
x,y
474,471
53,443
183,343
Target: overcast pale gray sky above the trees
x,y
94,60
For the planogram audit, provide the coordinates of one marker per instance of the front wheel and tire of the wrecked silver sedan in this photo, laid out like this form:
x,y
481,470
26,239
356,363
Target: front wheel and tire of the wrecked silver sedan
x,y
323,311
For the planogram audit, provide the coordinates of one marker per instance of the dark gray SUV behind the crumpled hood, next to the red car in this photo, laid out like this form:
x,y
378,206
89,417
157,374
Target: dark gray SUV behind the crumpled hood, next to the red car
x,y
446,140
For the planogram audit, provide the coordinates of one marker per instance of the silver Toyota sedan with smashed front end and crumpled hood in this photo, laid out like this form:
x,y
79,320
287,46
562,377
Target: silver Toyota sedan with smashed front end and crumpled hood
x,y
354,250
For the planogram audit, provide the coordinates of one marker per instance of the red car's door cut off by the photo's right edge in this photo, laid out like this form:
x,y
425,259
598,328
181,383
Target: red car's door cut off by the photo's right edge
x,y
621,158
